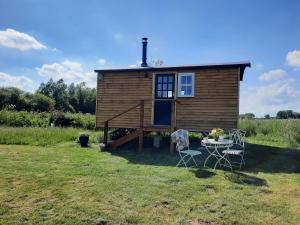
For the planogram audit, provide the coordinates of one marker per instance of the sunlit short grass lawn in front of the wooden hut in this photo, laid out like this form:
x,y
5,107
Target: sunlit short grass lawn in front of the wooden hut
x,y
65,184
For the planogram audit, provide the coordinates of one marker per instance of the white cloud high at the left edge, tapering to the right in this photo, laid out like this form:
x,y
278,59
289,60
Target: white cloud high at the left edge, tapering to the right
x,y
13,39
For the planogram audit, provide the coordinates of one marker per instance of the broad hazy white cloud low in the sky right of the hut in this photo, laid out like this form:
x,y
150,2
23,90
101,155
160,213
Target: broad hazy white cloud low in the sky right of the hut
x,y
270,98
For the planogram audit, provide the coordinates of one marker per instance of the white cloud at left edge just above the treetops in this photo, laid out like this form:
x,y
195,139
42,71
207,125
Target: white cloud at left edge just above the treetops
x,y
22,82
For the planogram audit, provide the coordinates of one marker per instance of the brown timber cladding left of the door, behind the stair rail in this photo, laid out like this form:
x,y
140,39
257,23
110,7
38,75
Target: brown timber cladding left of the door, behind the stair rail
x,y
118,92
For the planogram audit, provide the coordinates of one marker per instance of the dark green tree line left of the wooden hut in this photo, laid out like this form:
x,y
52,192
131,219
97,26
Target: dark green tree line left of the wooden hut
x,y
50,96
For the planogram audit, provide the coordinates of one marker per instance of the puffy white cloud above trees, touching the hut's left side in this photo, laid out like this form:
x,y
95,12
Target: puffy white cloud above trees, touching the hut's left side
x,y
69,71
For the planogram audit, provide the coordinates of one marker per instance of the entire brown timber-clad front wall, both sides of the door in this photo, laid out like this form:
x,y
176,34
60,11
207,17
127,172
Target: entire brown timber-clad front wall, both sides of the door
x,y
216,101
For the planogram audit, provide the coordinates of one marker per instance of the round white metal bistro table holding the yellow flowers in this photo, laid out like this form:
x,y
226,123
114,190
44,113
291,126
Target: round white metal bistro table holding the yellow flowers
x,y
214,148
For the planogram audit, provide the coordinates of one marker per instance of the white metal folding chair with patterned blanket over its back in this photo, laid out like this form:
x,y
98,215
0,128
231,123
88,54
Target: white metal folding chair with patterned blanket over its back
x,y
181,138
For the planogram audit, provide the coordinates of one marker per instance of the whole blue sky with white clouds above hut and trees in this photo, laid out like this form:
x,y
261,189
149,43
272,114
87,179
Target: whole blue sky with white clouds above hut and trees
x,y
69,39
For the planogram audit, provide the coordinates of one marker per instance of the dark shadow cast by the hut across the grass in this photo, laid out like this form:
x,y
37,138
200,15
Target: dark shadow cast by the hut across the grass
x,y
259,158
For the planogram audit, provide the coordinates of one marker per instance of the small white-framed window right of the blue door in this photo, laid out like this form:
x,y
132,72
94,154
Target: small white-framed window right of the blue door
x,y
186,84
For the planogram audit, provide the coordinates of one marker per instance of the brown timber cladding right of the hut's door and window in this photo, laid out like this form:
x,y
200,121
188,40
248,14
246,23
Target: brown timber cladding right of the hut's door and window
x,y
216,101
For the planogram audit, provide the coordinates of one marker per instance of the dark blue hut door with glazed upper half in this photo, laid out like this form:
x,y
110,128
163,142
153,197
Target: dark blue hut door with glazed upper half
x,y
164,94
